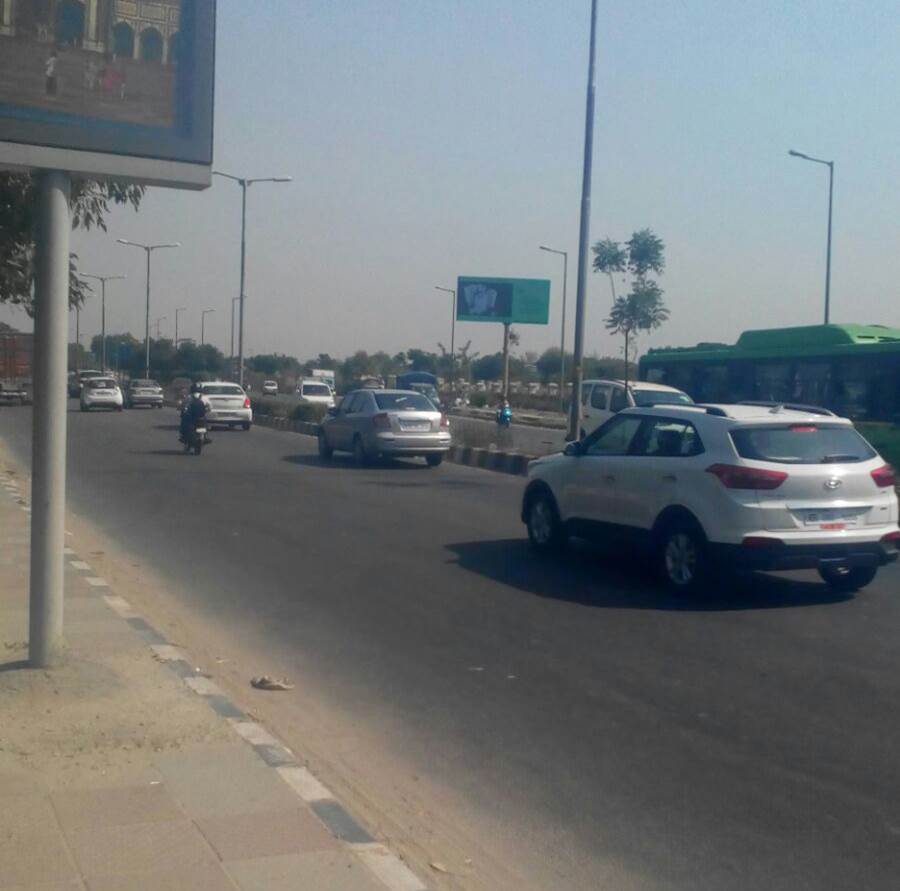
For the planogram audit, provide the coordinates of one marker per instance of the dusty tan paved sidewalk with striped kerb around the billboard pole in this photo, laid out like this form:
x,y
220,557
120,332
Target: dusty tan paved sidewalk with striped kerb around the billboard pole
x,y
127,768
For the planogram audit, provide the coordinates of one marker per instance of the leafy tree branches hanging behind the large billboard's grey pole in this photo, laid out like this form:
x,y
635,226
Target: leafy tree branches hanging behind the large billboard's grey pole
x,y
90,203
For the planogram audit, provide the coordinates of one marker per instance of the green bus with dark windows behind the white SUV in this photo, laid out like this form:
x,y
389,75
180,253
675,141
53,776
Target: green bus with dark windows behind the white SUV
x,y
854,370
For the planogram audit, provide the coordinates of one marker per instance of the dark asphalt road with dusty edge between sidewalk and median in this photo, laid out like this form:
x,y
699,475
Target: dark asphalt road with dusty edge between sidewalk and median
x,y
627,740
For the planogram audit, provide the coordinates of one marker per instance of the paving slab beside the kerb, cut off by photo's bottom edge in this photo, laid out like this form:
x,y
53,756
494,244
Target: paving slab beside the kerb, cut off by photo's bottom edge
x,y
321,870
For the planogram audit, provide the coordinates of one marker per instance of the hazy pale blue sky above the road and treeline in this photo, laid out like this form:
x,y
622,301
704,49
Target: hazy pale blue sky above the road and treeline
x,y
434,139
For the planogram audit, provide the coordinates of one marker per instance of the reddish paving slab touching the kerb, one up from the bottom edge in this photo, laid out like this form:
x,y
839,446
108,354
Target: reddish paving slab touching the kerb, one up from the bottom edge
x,y
266,834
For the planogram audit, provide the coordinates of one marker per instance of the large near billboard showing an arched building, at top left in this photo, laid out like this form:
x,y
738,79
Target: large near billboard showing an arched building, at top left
x,y
119,88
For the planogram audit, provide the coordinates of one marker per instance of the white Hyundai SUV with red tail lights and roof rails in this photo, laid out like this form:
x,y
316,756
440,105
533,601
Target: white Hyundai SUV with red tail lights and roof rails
x,y
751,486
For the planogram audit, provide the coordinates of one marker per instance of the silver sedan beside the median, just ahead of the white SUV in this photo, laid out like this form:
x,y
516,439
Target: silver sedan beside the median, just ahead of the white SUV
x,y
392,423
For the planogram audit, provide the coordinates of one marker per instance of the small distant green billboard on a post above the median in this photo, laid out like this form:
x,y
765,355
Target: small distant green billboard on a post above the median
x,y
511,300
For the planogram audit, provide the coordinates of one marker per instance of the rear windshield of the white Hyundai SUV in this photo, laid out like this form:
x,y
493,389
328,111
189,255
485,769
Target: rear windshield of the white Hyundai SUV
x,y
802,444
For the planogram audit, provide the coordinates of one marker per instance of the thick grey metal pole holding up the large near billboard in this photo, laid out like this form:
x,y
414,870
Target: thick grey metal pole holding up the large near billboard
x,y
48,461
